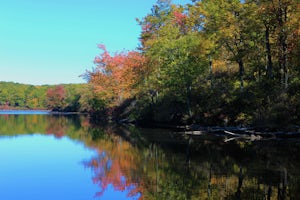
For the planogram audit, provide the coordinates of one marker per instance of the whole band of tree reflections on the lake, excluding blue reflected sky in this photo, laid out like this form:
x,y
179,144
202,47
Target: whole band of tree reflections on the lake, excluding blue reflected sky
x,y
156,164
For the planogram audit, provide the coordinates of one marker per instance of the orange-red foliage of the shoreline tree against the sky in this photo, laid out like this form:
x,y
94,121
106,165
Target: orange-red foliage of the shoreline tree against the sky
x,y
116,75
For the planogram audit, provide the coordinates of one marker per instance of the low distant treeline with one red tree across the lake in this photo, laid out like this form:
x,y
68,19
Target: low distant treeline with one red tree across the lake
x,y
64,97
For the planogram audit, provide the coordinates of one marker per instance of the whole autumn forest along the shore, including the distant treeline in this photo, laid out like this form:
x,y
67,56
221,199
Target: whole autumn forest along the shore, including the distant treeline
x,y
210,62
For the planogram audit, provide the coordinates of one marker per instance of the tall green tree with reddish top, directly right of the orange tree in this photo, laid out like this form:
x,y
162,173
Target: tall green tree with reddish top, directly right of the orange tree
x,y
175,51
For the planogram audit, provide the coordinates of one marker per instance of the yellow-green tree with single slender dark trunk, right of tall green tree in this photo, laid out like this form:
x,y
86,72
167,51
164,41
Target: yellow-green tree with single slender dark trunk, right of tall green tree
x,y
232,24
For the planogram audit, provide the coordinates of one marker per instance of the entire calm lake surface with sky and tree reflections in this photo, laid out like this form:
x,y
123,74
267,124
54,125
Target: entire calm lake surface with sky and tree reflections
x,y
61,157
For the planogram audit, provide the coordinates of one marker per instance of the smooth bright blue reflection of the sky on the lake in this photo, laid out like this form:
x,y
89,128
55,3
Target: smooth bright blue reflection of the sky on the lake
x,y
44,167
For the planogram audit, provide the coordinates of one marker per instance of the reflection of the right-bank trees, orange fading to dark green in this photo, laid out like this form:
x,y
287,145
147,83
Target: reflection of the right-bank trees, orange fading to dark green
x,y
161,165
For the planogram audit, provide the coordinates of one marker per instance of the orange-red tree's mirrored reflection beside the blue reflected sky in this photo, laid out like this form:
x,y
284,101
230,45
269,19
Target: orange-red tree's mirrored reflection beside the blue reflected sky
x,y
117,163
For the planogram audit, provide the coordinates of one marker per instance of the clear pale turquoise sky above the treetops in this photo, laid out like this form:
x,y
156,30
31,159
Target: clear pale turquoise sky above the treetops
x,y
54,41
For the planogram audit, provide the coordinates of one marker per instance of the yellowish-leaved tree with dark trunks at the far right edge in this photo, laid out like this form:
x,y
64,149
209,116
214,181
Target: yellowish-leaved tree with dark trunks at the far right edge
x,y
281,33
